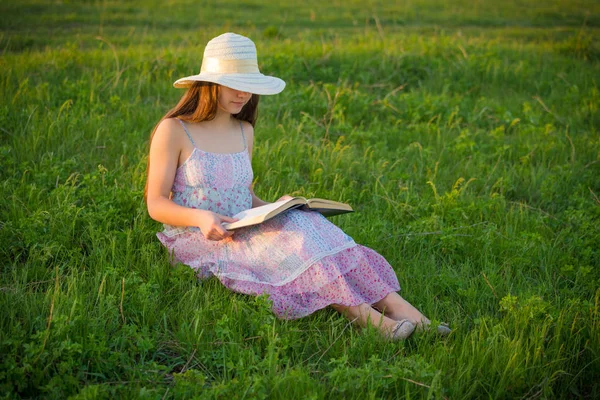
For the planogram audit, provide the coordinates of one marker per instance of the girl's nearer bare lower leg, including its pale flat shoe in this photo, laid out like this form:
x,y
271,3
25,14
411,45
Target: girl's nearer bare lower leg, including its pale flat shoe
x,y
364,314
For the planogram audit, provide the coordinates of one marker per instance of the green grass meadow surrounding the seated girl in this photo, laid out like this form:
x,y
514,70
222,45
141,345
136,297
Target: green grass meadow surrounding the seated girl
x,y
465,134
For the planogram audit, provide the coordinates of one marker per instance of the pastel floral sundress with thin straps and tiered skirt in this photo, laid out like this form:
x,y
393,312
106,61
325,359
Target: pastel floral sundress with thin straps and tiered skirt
x,y
299,258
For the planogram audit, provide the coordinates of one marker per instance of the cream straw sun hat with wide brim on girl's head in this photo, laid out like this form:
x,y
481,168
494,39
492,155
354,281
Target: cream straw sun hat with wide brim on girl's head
x,y
230,60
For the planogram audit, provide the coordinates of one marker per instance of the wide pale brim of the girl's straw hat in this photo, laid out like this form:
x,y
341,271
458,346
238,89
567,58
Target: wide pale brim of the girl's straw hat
x,y
251,83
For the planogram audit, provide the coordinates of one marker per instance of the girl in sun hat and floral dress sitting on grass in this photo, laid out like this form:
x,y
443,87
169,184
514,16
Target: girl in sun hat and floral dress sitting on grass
x,y
200,174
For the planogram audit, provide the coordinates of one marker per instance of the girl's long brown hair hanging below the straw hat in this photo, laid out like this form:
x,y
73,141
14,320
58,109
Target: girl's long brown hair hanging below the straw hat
x,y
200,103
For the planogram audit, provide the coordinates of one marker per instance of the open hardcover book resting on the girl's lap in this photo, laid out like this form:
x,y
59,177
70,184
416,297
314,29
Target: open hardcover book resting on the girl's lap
x,y
258,215
